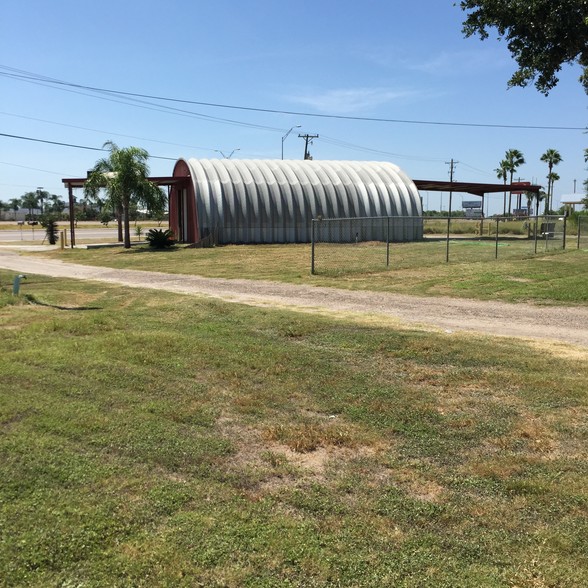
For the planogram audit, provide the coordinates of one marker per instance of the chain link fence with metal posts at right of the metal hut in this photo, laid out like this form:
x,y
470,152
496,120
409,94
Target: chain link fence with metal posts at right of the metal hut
x,y
375,244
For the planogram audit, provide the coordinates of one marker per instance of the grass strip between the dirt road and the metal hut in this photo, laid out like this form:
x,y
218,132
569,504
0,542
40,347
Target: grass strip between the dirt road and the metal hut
x,y
415,268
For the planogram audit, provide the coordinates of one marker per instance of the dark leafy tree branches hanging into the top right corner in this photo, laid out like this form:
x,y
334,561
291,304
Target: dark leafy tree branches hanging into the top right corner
x,y
541,36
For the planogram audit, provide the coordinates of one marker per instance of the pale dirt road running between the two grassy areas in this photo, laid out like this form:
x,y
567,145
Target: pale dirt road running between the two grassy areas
x,y
563,324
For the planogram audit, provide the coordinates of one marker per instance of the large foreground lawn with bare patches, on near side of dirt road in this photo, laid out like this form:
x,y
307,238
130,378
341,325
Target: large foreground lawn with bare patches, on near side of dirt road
x,y
152,439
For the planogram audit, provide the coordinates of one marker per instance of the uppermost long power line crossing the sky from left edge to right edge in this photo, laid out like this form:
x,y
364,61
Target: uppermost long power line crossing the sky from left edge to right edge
x,y
19,74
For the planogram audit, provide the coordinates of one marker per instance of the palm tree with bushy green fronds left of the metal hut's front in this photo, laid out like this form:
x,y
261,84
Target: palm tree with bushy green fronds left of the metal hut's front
x,y
123,174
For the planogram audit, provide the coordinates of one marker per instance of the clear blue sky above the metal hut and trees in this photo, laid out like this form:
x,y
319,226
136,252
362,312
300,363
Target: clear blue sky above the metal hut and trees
x,y
375,80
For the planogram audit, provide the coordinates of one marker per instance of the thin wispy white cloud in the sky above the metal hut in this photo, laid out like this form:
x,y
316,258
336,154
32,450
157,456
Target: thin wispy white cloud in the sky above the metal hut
x,y
350,100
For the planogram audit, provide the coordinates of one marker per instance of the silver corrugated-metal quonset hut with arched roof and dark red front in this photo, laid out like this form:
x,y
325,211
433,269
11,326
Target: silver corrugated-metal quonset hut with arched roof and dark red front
x,y
274,201
